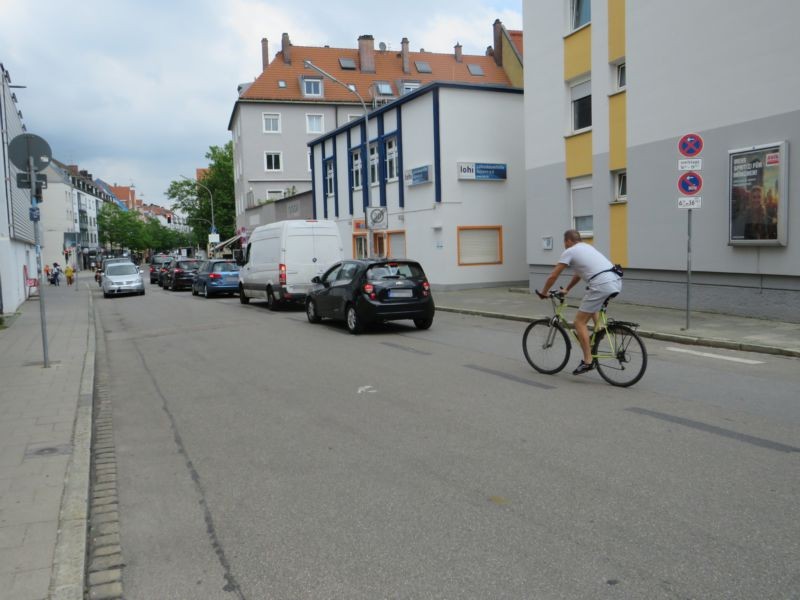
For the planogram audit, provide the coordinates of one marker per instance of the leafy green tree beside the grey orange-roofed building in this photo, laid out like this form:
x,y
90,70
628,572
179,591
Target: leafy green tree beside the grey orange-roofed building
x,y
193,200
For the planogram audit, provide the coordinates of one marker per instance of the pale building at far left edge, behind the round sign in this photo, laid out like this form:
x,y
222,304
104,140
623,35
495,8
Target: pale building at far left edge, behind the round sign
x,y
17,250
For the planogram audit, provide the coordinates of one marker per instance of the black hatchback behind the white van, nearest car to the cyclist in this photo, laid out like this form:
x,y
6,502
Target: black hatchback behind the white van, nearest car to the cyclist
x,y
361,292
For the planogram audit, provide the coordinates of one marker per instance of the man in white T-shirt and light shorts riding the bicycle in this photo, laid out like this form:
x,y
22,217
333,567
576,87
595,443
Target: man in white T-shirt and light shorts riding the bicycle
x,y
602,280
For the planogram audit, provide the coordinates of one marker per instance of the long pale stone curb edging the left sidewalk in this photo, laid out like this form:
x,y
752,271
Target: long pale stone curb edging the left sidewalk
x,y
67,582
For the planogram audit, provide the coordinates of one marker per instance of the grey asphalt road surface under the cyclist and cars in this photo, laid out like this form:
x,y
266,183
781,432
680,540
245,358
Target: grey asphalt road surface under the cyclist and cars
x,y
260,456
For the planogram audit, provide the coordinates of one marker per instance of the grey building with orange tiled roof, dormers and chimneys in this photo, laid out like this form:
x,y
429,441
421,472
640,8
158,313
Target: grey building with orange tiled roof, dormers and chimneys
x,y
290,104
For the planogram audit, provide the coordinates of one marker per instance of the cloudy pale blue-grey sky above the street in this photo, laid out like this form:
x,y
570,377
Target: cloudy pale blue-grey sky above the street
x,y
137,91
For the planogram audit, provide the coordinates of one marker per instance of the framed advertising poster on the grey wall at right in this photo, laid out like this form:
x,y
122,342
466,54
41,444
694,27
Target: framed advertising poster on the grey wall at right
x,y
758,195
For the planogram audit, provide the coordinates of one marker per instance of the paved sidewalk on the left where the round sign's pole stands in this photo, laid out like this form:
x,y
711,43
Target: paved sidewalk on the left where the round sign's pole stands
x,y
45,435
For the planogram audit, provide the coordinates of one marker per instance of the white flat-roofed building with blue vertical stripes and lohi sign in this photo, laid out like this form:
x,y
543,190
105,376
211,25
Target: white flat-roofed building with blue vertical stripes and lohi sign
x,y
442,169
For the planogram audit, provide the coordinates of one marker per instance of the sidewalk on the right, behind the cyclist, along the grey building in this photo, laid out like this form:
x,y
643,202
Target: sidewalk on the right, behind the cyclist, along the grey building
x,y
706,329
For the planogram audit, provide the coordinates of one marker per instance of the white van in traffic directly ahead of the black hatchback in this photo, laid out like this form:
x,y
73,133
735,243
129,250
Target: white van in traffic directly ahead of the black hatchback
x,y
282,258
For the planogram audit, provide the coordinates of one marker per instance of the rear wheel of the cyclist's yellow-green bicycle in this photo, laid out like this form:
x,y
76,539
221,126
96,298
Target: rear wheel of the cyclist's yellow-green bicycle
x,y
620,355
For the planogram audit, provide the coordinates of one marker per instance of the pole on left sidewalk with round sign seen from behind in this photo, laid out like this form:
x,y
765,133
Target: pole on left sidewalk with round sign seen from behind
x,y
29,152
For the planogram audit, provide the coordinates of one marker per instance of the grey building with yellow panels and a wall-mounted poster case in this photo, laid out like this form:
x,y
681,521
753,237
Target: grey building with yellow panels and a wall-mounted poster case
x,y
603,150
